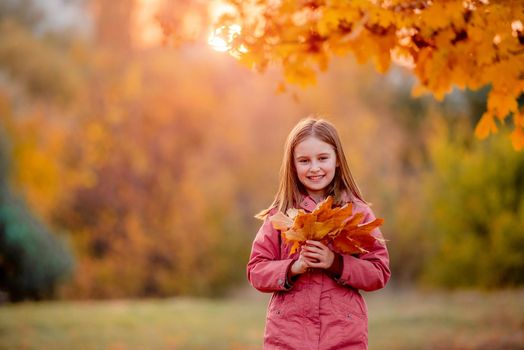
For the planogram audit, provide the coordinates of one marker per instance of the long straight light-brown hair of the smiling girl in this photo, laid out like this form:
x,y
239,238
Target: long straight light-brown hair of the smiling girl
x,y
290,190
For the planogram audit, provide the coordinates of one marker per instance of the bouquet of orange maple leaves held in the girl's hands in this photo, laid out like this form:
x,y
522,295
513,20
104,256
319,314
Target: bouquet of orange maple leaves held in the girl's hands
x,y
337,226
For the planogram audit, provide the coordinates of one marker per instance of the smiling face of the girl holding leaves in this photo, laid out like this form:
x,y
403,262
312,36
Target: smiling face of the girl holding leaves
x,y
316,162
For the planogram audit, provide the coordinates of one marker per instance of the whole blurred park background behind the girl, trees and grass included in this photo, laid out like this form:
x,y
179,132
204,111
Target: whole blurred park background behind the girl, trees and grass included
x,y
131,167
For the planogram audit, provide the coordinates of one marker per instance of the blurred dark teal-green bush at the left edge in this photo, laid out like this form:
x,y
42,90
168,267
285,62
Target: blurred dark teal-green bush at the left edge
x,y
32,259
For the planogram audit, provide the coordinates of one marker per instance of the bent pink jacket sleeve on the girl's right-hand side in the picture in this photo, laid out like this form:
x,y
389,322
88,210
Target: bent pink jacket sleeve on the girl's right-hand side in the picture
x,y
369,271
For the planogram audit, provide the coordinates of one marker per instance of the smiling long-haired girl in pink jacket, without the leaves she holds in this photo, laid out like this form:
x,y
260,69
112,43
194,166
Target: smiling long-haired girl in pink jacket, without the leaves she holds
x,y
316,302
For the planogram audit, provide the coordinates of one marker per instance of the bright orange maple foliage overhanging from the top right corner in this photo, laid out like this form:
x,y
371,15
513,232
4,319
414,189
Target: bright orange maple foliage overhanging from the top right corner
x,y
467,44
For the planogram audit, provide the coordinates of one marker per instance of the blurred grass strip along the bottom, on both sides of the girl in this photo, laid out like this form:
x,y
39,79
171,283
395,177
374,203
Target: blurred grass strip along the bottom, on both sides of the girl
x,y
401,320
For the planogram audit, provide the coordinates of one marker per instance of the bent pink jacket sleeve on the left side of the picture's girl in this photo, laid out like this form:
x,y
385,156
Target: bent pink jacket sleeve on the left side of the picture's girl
x,y
265,270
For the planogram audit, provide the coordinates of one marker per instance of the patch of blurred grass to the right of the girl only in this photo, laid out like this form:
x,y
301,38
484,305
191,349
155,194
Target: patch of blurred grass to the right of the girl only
x,y
439,321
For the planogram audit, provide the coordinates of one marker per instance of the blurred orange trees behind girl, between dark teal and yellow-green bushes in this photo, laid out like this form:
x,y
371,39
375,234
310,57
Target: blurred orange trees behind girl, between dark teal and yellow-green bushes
x,y
146,157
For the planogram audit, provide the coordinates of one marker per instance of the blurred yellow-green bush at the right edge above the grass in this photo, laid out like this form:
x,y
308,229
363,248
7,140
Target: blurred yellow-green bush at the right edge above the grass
x,y
475,212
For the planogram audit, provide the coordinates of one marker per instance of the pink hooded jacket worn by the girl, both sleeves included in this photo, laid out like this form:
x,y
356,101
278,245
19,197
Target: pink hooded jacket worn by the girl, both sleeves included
x,y
316,311
